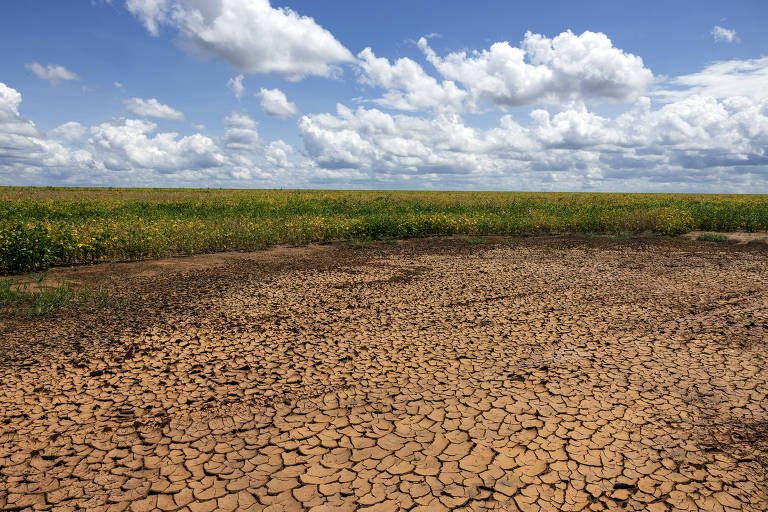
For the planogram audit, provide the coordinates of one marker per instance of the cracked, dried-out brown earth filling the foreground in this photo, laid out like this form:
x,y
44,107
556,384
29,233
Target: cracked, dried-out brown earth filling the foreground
x,y
512,374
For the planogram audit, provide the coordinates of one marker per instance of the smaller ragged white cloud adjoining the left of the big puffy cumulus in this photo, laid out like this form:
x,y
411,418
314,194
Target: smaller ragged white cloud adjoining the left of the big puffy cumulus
x,y
408,86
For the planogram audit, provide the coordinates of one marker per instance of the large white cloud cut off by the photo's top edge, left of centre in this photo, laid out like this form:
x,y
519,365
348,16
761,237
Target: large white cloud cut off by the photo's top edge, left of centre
x,y
250,34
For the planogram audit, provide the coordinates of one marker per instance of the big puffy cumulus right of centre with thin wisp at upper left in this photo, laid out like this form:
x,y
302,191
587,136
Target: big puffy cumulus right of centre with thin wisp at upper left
x,y
563,69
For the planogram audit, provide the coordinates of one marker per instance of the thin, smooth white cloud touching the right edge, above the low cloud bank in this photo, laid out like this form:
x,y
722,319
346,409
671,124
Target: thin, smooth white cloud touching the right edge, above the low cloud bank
x,y
722,79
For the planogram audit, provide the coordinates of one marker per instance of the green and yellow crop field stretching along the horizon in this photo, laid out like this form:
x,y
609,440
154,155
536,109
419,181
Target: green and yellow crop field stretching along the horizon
x,y
42,227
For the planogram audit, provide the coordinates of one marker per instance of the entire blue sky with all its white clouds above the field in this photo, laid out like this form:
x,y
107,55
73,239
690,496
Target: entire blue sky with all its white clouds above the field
x,y
600,95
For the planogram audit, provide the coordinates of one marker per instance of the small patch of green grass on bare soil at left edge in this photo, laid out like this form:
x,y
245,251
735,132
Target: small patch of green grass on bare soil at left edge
x,y
32,297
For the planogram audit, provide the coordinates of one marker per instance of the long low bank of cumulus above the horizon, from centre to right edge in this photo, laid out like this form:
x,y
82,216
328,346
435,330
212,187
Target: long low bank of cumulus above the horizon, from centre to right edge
x,y
683,144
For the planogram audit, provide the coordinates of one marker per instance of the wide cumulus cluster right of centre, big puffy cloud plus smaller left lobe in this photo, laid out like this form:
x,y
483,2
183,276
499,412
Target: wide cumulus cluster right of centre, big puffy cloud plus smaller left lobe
x,y
566,69
